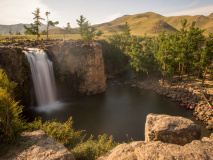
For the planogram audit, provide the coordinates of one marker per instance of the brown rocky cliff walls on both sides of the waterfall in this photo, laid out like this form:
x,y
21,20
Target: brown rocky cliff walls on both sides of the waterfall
x,y
78,68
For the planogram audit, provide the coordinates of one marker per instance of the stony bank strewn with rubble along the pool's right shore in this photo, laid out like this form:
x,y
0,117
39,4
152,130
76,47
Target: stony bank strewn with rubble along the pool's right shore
x,y
189,95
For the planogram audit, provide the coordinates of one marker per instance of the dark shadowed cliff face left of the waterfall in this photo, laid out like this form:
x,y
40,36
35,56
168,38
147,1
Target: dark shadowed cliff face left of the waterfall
x,y
17,68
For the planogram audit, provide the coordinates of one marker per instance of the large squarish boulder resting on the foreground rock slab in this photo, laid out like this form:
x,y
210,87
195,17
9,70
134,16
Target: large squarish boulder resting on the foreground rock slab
x,y
170,129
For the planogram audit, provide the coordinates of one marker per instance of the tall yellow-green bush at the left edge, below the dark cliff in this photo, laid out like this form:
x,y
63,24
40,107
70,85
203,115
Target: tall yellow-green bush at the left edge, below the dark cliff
x,y
11,123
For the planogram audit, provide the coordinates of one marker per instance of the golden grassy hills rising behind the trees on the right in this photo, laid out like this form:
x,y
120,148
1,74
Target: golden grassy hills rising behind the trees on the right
x,y
152,23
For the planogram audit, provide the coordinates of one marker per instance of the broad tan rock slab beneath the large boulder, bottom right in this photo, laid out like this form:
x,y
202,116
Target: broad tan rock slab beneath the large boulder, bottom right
x,y
141,150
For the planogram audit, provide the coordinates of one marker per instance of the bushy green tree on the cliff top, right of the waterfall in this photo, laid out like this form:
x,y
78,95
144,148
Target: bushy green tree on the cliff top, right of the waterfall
x,y
87,32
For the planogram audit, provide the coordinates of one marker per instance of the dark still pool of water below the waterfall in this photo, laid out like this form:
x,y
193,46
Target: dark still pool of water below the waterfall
x,y
120,111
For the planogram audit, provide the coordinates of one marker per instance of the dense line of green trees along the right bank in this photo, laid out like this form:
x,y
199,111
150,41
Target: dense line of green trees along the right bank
x,y
171,54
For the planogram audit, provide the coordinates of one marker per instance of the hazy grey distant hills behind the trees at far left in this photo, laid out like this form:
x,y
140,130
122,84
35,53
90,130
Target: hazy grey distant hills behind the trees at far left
x,y
4,29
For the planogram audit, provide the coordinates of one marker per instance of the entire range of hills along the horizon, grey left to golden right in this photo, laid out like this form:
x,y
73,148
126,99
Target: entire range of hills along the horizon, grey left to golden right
x,y
149,22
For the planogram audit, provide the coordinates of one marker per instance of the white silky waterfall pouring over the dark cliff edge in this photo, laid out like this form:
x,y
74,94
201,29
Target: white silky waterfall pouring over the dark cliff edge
x,y
43,76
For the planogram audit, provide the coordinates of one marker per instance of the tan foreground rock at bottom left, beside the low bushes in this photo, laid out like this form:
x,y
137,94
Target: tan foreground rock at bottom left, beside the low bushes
x,y
43,148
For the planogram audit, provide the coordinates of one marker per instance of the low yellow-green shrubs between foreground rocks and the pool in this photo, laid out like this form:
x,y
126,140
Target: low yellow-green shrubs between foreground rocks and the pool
x,y
74,140
